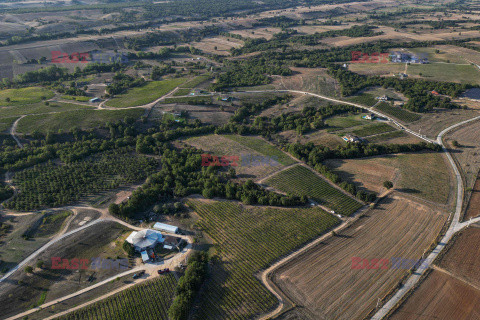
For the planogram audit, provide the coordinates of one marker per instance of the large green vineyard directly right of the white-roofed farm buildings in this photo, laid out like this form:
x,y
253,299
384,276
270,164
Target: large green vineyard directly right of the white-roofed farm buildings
x,y
247,241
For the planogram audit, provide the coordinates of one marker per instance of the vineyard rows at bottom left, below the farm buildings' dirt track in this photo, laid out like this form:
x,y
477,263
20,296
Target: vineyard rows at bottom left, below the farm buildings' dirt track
x,y
147,301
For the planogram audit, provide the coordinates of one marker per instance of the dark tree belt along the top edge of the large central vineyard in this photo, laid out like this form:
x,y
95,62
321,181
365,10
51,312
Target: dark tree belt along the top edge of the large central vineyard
x,y
182,174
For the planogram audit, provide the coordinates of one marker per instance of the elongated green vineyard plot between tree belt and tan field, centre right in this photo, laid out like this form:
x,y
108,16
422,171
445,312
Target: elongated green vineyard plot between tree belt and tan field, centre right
x,y
301,181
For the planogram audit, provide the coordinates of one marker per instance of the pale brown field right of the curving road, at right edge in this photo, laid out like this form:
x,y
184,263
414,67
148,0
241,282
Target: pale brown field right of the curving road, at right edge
x,y
467,155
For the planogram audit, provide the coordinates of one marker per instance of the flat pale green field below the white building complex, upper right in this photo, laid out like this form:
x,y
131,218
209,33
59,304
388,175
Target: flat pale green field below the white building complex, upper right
x,y
462,73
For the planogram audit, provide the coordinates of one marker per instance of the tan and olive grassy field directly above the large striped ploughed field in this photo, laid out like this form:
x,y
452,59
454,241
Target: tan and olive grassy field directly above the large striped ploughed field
x,y
424,175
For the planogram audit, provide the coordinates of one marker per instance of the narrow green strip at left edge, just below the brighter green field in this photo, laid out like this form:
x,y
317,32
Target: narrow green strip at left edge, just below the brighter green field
x,y
38,108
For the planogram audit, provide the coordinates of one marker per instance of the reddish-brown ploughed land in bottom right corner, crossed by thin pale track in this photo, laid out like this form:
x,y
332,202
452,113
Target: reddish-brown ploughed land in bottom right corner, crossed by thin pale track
x,y
452,290
